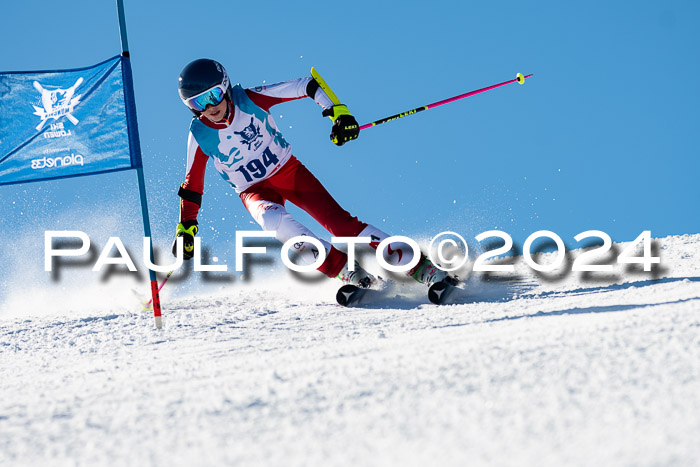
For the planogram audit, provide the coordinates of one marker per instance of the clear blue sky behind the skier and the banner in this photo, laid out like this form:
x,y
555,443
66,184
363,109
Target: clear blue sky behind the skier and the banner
x,y
604,136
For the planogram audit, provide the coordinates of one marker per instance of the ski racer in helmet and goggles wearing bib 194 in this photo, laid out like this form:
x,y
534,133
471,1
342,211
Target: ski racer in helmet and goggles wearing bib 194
x,y
233,126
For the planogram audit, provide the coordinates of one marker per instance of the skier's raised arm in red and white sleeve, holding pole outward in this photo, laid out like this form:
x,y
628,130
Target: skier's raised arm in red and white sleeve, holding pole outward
x,y
267,96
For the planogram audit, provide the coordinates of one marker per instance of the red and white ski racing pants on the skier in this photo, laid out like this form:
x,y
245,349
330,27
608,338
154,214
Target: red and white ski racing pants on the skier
x,y
295,183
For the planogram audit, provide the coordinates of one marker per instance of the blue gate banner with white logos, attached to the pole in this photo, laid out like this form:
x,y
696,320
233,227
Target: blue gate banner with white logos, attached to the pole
x,y
64,123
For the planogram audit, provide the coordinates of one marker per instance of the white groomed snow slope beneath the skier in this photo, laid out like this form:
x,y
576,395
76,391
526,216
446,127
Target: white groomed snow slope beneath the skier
x,y
522,372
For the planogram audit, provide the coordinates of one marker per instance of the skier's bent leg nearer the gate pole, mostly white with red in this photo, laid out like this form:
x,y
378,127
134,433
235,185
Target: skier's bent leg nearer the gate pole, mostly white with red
x,y
267,209
